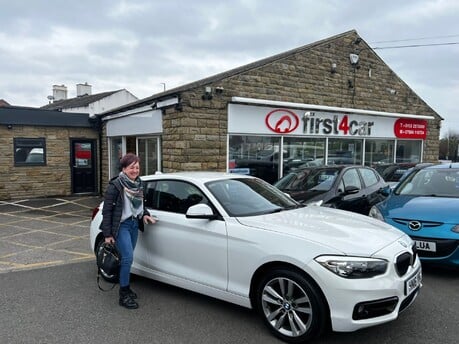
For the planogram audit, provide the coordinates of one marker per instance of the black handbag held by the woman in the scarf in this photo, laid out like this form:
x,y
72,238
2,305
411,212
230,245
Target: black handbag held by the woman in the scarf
x,y
108,262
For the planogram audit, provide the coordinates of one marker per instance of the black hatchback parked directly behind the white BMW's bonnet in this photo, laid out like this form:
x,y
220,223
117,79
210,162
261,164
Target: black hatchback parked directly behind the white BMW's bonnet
x,y
348,187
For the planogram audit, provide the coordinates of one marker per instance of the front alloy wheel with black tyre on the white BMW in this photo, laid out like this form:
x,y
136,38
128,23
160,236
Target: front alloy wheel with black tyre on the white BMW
x,y
291,306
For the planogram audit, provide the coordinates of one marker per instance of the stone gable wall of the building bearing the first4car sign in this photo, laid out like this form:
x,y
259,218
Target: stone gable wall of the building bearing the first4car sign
x,y
195,137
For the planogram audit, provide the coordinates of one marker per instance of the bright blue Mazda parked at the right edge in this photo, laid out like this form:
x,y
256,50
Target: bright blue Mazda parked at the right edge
x,y
425,205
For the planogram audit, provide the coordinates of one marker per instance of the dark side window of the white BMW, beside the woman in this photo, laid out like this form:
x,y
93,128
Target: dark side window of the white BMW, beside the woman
x,y
172,195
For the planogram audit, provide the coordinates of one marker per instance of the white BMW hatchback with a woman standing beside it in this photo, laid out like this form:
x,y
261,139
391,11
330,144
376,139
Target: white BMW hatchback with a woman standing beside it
x,y
303,268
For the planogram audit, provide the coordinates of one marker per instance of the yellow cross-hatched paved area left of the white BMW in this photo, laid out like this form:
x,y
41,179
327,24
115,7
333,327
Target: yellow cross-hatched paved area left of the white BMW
x,y
43,232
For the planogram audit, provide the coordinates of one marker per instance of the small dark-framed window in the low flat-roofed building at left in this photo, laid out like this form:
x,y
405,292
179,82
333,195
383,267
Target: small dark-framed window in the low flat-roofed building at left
x,y
29,152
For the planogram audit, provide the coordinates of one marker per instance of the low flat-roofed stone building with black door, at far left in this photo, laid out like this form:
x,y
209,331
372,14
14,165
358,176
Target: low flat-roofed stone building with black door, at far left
x,y
47,153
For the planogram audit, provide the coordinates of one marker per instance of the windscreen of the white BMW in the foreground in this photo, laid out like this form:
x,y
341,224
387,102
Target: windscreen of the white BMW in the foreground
x,y
248,197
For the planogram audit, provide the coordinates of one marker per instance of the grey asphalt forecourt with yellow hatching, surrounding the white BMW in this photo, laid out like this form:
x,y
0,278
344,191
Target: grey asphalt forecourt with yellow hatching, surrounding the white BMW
x,y
49,294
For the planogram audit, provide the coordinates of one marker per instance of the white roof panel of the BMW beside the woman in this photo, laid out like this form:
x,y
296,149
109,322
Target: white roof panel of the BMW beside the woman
x,y
196,176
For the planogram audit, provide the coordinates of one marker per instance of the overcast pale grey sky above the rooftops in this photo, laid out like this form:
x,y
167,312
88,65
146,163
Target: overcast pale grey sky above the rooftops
x,y
140,44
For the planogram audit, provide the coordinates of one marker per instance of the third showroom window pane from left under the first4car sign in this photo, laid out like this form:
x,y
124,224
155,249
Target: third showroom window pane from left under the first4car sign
x,y
344,151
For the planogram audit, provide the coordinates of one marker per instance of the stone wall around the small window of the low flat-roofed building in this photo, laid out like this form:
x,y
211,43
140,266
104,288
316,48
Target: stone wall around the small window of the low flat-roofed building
x,y
54,179
